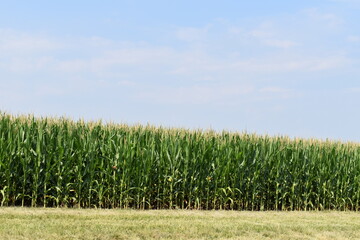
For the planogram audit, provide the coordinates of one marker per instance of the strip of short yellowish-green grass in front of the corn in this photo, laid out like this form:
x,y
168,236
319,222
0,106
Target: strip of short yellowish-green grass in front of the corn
x,y
30,223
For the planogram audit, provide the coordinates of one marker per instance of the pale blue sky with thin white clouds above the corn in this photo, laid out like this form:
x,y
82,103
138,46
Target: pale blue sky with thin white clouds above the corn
x,y
267,67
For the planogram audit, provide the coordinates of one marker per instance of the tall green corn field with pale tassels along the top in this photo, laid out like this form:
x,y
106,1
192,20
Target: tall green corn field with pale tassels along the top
x,y
56,162
